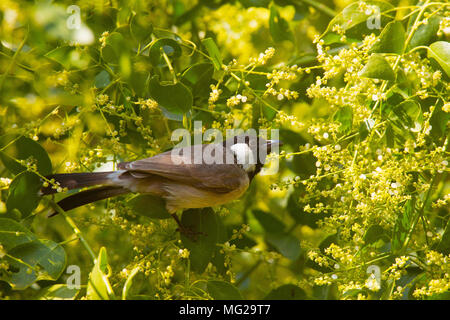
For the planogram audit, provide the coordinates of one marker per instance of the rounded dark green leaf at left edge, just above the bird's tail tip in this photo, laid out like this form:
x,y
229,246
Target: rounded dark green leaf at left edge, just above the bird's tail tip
x,y
23,149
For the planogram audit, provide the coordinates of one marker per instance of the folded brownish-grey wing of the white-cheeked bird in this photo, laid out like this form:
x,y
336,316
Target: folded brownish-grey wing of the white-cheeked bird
x,y
181,167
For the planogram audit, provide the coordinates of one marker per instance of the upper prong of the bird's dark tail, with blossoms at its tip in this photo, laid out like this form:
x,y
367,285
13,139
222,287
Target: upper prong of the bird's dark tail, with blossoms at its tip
x,y
76,180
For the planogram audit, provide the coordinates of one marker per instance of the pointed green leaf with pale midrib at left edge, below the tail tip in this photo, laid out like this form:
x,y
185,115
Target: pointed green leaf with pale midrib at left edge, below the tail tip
x,y
13,234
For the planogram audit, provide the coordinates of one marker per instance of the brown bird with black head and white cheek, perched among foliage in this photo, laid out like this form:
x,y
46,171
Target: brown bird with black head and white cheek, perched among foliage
x,y
195,176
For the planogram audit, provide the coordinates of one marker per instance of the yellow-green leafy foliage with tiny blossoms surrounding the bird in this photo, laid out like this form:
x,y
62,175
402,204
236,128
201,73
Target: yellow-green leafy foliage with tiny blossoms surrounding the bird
x,y
358,90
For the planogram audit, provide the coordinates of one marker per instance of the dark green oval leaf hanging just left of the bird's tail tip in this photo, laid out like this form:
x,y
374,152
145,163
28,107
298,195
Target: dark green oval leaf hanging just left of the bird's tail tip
x,y
23,193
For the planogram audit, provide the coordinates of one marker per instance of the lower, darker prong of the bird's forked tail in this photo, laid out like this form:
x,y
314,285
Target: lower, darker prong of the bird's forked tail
x,y
84,197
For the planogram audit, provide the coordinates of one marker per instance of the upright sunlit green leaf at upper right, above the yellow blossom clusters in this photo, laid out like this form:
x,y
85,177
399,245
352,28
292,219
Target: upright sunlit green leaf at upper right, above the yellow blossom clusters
x,y
391,39
